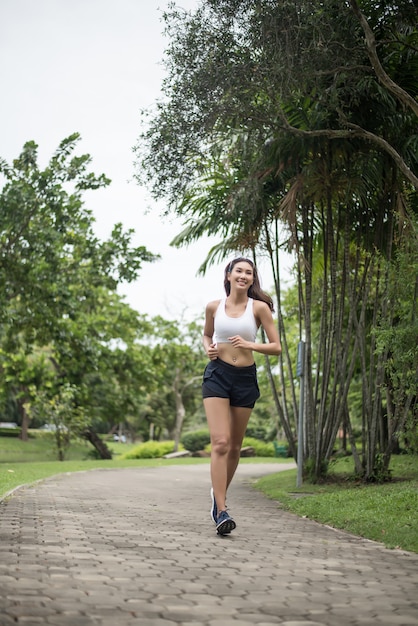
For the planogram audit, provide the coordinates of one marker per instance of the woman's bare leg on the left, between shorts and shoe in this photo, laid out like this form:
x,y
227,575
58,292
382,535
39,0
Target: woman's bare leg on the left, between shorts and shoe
x,y
219,423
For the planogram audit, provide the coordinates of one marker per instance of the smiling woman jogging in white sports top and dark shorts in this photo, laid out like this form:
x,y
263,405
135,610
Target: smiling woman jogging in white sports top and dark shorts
x,y
230,387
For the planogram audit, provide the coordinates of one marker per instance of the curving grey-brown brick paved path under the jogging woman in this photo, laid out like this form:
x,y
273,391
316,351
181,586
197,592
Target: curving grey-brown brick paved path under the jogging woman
x,y
136,547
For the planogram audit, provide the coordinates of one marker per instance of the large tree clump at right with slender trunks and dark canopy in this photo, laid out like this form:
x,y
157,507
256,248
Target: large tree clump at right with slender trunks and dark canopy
x,y
302,113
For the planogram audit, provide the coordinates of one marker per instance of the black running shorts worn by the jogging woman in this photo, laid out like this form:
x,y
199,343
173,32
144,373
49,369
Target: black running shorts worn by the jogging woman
x,y
239,384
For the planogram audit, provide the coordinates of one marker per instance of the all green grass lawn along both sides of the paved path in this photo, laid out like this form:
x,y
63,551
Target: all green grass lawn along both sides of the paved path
x,y
387,513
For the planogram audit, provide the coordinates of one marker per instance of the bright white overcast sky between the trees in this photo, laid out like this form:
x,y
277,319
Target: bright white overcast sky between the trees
x,y
90,66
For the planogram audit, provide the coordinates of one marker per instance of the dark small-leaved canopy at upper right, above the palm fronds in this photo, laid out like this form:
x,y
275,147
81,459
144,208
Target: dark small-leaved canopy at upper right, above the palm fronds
x,y
271,70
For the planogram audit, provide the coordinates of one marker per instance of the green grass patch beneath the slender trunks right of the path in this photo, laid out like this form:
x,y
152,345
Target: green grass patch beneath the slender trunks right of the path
x,y
387,513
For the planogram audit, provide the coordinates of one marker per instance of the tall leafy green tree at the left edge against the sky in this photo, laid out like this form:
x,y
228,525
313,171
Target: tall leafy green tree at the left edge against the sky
x,y
58,282
